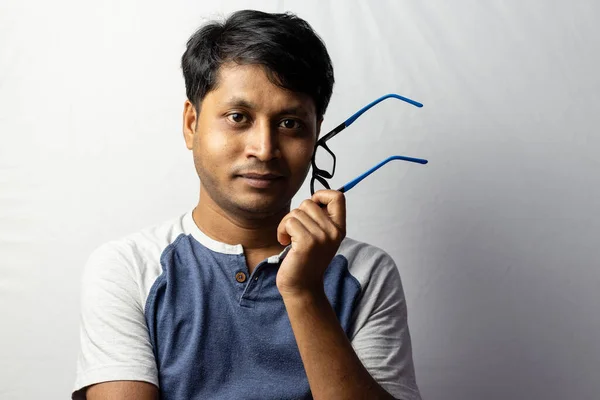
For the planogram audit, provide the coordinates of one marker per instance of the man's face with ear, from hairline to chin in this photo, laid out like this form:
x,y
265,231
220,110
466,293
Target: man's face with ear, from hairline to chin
x,y
252,141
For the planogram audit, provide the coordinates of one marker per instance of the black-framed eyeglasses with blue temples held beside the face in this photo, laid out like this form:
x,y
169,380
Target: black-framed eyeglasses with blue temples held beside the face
x,y
327,159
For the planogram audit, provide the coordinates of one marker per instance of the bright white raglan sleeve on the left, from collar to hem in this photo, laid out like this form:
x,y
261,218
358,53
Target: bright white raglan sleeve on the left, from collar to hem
x,y
117,279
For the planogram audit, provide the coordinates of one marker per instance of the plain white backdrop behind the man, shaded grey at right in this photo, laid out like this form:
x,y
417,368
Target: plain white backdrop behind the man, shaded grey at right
x,y
497,239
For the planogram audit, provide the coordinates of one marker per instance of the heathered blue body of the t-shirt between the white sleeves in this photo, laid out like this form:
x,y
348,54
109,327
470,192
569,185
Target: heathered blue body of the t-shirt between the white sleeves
x,y
214,337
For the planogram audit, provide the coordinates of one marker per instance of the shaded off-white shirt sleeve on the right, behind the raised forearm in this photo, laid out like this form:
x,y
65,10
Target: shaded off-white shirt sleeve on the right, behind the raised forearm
x,y
380,333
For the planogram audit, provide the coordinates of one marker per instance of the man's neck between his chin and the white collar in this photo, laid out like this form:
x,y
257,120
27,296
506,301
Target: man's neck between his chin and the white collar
x,y
254,234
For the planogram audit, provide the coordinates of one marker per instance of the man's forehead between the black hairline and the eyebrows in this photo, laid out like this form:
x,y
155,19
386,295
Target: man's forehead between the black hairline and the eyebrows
x,y
250,84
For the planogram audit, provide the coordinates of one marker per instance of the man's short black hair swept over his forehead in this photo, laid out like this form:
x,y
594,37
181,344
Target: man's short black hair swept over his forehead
x,y
293,55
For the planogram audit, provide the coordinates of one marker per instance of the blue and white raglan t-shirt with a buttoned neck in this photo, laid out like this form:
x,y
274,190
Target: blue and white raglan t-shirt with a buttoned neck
x,y
175,308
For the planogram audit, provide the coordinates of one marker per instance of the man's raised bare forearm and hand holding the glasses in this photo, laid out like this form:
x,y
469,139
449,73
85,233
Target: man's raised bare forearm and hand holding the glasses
x,y
332,367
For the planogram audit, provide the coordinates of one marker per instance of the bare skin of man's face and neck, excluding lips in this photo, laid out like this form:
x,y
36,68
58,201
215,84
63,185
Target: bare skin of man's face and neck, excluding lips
x,y
248,124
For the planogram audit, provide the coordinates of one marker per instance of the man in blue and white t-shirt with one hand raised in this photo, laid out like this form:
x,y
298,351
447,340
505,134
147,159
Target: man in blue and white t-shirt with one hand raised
x,y
205,306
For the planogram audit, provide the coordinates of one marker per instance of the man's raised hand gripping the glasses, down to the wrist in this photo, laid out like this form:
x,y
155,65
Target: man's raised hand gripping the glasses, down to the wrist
x,y
315,230
